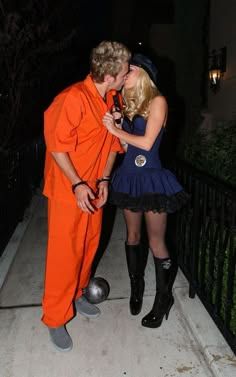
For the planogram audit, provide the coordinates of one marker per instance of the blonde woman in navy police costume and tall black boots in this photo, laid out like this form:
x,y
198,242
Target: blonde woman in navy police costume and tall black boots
x,y
141,187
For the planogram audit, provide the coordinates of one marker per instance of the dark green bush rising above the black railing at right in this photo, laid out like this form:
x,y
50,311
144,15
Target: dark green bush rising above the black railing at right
x,y
213,152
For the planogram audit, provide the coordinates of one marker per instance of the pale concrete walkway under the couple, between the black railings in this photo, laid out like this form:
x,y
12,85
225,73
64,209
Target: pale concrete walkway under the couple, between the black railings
x,y
115,344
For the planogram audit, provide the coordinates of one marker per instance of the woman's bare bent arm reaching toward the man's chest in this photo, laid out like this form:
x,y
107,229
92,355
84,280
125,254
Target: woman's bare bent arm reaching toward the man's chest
x,y
156,120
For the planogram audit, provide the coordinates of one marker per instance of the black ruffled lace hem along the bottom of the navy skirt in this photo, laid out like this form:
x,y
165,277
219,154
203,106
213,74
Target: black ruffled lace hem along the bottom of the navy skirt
x,y
150,202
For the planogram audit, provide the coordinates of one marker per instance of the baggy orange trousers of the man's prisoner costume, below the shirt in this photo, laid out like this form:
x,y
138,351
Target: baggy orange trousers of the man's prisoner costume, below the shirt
x,y
69,249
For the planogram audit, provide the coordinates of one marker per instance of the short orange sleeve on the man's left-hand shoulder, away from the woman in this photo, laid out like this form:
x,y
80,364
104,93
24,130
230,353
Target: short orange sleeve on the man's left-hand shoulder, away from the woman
x,y
61,120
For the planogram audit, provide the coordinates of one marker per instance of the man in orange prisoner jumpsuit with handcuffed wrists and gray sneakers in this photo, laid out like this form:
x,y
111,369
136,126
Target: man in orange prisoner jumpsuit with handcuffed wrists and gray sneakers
x,y
79,158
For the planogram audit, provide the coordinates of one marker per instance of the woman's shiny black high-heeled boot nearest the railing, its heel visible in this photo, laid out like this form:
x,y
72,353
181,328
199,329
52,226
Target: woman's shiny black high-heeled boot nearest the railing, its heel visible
x,y
164,298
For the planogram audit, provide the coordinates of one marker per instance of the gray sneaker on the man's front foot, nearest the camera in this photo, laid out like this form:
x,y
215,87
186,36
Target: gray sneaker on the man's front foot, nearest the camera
x,y
60,338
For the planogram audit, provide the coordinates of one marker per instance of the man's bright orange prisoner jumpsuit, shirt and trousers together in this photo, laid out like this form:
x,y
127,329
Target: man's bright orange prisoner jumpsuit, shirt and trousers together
x,y
73,124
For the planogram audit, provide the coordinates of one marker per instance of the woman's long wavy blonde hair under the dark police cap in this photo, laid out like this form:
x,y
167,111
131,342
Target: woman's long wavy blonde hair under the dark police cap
x,y
138,99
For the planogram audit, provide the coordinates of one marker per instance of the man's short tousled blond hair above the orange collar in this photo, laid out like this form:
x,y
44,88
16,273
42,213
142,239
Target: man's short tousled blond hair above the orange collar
x,y
107,59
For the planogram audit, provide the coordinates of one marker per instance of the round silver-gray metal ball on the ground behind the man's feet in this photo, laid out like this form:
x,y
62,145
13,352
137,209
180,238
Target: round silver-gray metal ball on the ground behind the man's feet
x,y
97,290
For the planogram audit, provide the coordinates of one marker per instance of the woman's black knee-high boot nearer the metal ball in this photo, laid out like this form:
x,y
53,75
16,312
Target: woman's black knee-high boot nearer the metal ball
x,y
136,256
